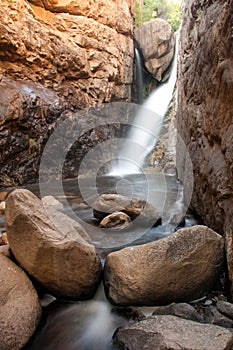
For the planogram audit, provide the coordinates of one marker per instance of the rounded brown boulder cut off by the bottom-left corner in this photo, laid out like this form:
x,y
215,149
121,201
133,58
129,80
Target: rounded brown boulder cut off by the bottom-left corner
x,y
20,309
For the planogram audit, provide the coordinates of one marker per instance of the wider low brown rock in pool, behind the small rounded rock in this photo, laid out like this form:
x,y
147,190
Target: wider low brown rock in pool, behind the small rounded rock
x,y
135,208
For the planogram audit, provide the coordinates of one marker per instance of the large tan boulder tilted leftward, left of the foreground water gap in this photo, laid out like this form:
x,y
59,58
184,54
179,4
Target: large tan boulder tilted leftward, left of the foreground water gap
x,y
62,261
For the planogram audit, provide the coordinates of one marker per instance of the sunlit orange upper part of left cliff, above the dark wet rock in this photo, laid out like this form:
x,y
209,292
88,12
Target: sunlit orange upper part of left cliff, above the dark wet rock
x,y
73,48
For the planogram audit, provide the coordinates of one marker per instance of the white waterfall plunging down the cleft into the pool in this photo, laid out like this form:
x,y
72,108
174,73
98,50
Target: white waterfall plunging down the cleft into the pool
x,y
146,127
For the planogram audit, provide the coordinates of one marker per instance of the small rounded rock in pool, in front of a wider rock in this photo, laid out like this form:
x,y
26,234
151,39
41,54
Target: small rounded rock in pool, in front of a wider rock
x,y
116,221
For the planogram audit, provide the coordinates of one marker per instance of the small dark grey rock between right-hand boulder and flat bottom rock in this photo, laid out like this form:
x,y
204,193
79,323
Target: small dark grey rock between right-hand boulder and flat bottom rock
x,y
182,310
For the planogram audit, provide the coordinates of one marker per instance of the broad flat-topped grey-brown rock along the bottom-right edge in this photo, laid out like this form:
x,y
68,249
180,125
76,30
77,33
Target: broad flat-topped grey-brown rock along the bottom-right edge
x,y
172,333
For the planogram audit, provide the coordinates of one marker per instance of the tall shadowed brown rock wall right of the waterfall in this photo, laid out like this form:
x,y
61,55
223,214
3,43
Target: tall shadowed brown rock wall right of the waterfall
x,y
205,107
